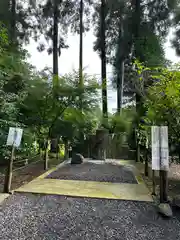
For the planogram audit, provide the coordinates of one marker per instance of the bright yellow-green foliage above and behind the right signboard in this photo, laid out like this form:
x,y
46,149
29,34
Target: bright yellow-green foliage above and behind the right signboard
x,y
161,103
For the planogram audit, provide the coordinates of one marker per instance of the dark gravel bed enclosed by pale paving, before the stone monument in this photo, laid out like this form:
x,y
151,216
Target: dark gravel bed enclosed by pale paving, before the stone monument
x,y
95,172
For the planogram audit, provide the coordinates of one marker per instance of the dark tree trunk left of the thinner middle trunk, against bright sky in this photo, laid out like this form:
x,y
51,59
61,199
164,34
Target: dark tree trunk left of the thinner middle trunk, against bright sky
x,y
55,40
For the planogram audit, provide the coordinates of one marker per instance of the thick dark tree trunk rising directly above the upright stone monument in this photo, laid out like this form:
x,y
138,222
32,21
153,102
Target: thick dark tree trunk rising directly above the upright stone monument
x,y
103,62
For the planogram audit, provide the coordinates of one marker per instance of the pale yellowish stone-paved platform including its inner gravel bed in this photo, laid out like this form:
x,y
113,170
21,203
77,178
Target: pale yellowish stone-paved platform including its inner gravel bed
x,y
95,180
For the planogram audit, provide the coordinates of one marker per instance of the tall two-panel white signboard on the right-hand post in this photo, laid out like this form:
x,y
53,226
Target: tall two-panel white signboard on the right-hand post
x,y
160,148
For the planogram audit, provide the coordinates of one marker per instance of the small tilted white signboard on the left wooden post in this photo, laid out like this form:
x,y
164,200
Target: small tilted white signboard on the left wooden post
x,y
14,137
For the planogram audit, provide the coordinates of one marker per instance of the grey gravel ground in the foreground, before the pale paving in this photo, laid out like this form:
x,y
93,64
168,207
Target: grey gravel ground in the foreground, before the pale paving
x,y
55,217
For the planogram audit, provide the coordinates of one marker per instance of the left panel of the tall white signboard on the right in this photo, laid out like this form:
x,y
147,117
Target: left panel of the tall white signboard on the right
x,y
155,143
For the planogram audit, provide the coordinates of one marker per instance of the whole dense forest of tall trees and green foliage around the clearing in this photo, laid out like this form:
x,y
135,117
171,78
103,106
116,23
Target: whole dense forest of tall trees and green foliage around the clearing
x,y
130,35
